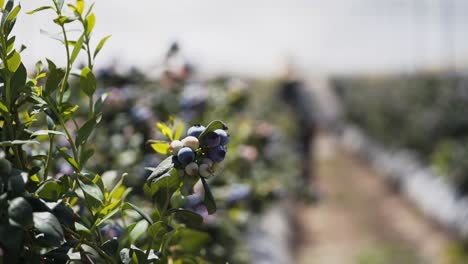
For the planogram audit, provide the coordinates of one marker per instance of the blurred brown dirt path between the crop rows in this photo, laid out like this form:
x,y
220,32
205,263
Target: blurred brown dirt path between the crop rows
x,y
360,219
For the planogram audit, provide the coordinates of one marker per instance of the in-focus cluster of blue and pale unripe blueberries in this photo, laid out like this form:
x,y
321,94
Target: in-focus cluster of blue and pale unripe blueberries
x,y
200,155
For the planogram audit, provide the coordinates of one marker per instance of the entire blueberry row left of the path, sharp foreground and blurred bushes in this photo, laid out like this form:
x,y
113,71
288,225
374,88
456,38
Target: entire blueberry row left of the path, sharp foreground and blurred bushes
x,y
107,167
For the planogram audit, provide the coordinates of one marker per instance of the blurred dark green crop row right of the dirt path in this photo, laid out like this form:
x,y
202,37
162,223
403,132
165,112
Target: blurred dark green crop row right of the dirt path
x,y
425,113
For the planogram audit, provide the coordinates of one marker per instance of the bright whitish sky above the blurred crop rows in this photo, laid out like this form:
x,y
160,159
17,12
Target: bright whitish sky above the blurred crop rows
x,y
254,36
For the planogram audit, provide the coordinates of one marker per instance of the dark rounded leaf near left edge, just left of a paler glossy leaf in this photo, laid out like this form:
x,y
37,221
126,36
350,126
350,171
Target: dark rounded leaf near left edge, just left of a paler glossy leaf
x,y
20,211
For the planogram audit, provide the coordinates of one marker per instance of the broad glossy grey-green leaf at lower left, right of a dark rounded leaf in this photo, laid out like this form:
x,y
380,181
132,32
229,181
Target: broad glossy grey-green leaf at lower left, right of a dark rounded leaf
x,y
49,227
